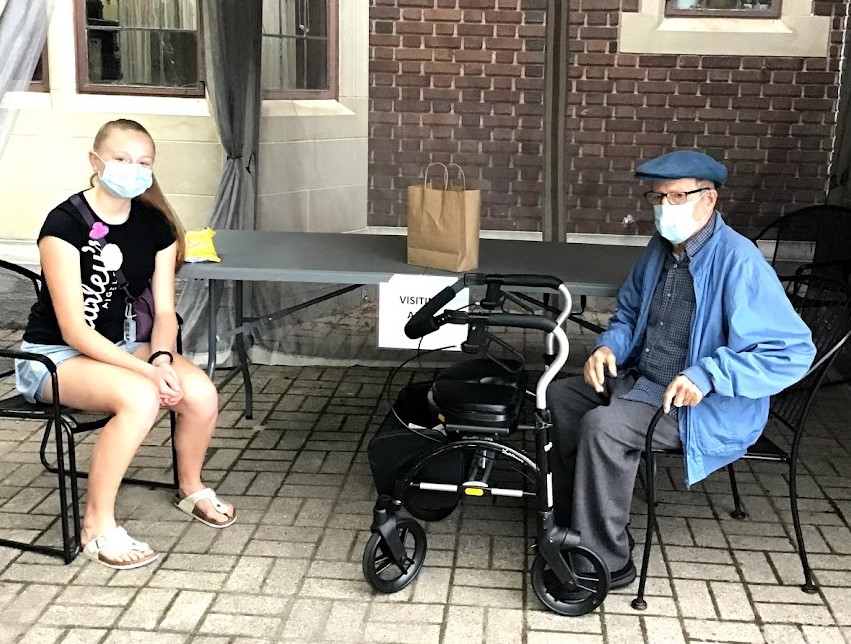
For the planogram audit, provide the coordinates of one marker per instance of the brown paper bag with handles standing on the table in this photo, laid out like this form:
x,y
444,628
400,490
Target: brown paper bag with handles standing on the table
x,y
443,224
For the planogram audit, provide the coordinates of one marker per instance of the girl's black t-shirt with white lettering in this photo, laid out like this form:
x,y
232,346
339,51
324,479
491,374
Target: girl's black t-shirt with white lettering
x,y
132,246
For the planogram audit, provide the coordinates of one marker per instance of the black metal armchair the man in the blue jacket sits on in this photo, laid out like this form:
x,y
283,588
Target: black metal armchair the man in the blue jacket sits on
x,y
825,305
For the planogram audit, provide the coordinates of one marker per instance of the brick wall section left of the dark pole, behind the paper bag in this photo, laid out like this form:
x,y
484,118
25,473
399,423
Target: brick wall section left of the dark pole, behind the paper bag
x,y
458,80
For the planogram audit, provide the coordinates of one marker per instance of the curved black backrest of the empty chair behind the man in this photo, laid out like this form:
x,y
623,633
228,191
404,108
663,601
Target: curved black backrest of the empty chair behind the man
x,y
827,226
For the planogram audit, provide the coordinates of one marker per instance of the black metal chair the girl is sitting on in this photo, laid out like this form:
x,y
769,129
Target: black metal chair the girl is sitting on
x,y
62,424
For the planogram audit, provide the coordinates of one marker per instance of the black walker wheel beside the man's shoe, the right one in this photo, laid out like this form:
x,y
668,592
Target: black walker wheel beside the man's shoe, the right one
x,y
589,592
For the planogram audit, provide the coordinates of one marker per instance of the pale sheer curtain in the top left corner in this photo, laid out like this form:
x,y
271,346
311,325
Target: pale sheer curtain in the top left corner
x,y
23,31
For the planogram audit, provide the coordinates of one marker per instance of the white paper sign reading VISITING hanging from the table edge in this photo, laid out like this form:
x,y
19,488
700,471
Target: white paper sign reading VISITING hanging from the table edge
x,y
404,295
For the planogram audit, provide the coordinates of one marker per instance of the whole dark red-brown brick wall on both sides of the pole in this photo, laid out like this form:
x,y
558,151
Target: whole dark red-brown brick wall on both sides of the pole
x,y
462,80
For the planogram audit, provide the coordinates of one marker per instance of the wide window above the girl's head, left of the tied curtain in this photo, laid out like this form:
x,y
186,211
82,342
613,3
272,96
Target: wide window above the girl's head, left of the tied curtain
x,y
139,47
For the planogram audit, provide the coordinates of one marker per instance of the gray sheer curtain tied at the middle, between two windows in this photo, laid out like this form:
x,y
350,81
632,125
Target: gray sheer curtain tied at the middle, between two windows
x,y
233,35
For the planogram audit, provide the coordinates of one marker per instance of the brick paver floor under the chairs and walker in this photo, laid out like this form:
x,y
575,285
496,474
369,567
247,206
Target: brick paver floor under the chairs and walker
x,y
289,570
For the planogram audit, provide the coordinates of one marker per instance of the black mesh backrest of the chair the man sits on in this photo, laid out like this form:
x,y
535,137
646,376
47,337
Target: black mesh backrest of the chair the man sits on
x,y
825,306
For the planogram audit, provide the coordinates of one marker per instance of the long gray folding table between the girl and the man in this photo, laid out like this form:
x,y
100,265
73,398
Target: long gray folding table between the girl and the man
x,y
357,259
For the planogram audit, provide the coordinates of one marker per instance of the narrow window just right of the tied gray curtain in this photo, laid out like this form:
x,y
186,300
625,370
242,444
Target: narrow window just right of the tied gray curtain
x,y
299,49
